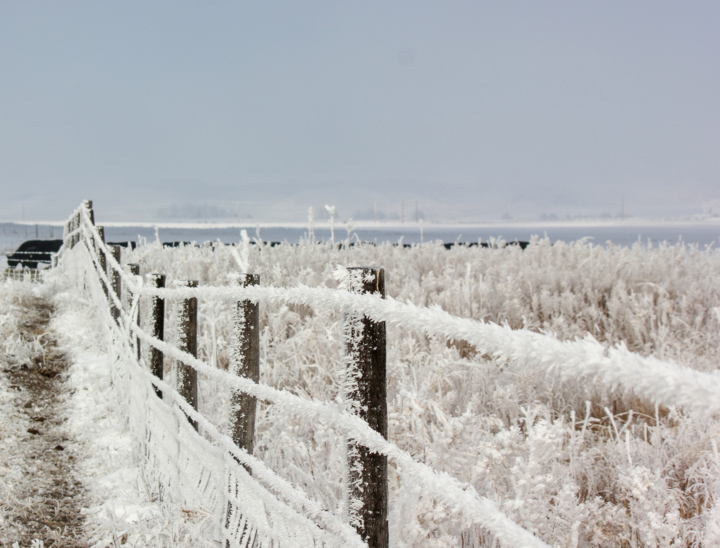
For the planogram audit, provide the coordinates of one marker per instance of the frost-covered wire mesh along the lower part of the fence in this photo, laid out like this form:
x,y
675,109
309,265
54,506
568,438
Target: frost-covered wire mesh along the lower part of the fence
x,y
250,504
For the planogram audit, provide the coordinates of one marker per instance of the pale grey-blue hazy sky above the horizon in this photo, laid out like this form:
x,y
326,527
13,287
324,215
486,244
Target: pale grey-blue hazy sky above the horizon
x,y
471,110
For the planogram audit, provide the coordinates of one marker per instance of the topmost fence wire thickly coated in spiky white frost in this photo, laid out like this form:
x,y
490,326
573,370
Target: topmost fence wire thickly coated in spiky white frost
x,y
661,382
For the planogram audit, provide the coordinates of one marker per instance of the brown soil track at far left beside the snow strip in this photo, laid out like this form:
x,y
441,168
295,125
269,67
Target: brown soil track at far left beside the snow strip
x,y
49,499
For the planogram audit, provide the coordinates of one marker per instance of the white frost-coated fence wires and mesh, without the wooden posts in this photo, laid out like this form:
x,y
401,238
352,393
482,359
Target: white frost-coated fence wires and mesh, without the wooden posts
x,y
658,381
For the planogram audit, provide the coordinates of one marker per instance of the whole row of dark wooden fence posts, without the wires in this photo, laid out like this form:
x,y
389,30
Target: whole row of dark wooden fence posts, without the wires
x,y
368,471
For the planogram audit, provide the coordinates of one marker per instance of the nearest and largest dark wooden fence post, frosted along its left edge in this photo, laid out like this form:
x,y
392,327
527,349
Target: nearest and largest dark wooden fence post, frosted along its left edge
x,y
366,390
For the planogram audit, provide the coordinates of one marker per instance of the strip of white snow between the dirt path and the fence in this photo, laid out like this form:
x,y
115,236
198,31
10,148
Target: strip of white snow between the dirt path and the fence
x,y
122,510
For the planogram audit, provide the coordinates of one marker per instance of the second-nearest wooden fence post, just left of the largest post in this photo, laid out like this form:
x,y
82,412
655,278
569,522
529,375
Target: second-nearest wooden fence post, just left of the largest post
x,y
245,362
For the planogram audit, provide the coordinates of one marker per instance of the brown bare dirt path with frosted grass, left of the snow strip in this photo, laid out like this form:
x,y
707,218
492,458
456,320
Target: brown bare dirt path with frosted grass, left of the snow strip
x,y
40,497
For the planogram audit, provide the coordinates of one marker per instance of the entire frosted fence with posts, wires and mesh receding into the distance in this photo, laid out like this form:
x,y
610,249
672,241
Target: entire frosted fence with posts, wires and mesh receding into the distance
x,y
254,506
